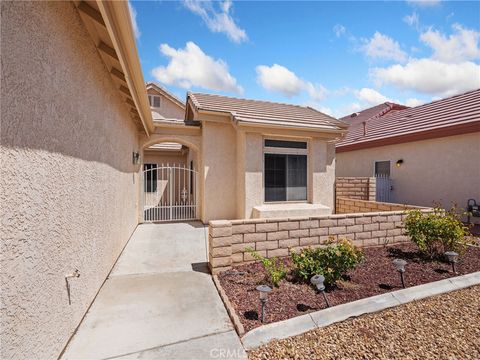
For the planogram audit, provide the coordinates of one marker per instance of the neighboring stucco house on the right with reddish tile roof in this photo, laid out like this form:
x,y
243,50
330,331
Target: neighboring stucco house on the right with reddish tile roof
x,y
430,152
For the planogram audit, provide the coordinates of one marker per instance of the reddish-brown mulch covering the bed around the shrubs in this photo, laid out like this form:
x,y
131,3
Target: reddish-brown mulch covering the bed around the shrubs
x,y
375,275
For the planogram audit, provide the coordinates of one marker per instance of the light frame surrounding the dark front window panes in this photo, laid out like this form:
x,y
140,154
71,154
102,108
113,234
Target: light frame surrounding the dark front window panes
x,y
285,151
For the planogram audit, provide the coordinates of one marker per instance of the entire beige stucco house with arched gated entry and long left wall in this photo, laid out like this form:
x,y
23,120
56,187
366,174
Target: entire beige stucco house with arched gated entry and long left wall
x,y
77,125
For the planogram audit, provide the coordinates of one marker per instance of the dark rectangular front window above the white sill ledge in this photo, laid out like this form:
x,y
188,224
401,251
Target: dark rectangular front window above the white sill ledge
x,y
285,170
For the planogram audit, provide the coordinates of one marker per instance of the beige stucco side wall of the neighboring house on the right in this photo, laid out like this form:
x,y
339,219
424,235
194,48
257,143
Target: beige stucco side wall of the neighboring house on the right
x,y
444,169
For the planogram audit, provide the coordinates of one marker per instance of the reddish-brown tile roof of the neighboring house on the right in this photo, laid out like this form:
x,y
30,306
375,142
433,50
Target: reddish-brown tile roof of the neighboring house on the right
x,y
455,115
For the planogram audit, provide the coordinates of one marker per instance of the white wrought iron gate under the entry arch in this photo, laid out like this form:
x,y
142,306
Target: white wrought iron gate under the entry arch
x,y
169,193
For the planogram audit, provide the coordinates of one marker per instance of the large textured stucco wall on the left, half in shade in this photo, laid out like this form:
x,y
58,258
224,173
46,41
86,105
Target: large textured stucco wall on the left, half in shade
x,y
69,189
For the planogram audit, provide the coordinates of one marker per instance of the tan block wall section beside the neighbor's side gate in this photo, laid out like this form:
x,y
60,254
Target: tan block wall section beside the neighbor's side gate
x,y
361,188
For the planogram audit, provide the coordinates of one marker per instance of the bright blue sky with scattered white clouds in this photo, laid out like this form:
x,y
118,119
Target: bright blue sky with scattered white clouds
x,y
338,57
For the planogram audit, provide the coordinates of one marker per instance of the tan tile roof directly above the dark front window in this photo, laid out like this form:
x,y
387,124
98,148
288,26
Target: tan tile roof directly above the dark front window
x,y
255,112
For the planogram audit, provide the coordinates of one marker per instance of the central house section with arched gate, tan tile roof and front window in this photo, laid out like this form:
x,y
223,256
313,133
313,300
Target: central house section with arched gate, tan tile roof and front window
x,y
245,159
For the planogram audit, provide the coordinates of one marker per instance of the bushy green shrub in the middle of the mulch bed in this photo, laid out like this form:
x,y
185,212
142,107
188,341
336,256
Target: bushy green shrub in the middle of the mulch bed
x,y
332,261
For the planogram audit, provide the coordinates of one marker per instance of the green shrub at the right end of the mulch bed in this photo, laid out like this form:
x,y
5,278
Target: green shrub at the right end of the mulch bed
x,y
437,232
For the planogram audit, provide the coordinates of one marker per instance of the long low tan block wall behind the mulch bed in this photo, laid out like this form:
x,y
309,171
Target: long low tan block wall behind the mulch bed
x,y
228,240
